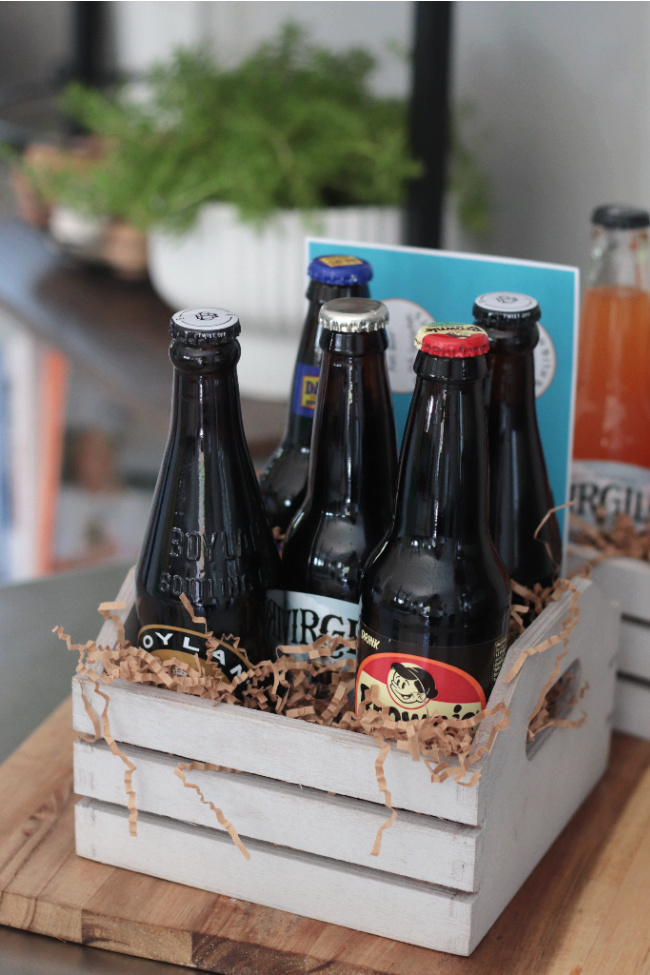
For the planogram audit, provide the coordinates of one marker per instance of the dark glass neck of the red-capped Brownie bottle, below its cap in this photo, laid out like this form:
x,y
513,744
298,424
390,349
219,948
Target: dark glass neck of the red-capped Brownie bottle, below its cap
x,y
442,486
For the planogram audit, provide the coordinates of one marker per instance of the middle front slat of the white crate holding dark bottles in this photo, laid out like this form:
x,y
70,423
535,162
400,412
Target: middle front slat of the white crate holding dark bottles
x,y
434,851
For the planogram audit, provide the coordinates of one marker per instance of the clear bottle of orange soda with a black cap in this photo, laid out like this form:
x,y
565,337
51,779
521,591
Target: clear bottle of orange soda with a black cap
x,y
611,449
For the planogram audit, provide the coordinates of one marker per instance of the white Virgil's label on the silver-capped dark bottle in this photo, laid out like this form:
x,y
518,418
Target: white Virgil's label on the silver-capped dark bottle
x,y
296,618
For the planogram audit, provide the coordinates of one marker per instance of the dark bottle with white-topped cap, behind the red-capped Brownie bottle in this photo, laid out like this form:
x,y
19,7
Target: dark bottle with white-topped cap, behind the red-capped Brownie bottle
x,y
520,493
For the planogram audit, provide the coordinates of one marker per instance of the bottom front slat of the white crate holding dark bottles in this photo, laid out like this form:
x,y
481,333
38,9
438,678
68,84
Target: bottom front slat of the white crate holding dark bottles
x,y
366,900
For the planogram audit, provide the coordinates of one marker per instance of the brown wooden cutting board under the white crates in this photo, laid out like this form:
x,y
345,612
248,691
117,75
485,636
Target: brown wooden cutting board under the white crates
x,y
584,910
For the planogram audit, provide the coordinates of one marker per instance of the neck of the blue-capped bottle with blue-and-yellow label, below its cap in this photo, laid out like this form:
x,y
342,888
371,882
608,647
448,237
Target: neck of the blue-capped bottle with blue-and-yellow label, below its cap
x,y
308,361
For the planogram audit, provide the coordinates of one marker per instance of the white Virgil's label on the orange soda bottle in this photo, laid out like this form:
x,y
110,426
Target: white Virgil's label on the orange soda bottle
x,y
611,488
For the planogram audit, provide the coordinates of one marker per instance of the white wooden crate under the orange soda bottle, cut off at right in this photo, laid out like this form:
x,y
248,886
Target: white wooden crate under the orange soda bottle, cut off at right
x,y
627,582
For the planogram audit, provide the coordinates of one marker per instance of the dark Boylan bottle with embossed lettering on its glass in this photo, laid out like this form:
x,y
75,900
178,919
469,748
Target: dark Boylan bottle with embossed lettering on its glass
x,y
208,535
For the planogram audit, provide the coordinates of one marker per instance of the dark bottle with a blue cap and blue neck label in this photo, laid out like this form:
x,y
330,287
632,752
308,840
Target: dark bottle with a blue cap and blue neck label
x,y
284,477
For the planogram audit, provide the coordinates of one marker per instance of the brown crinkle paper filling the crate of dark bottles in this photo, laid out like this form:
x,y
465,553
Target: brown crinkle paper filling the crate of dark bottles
x,y
304,683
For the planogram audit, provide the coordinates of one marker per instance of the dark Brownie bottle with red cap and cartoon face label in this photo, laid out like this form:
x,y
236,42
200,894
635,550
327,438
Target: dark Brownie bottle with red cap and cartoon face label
x,y
435,596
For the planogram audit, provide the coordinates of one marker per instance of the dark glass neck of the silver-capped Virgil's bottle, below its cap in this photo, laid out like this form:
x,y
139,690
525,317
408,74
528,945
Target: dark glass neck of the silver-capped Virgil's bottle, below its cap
x,y
349,433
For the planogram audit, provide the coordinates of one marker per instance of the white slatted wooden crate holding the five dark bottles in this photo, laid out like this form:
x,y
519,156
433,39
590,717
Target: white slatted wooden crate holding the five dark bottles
x,y
307,805
